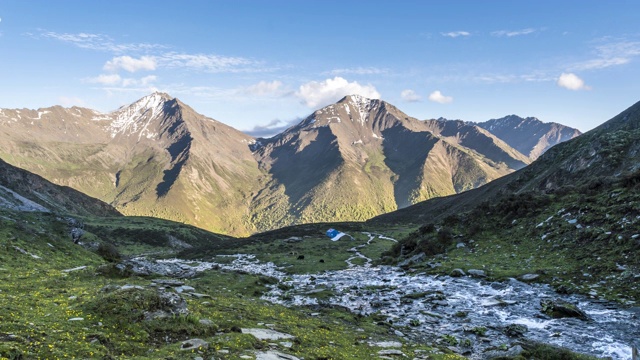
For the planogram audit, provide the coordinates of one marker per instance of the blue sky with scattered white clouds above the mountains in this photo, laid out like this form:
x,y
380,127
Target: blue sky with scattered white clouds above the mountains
x,y
262,65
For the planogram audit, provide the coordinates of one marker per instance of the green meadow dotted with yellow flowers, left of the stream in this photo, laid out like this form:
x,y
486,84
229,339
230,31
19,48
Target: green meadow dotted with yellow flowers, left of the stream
x,y
49,313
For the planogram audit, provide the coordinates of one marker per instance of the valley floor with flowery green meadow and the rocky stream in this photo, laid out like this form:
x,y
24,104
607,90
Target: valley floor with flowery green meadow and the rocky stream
x,y
298,297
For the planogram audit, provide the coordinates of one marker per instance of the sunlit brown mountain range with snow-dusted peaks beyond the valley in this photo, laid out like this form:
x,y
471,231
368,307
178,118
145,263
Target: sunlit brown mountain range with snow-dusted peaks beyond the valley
x,y
351,160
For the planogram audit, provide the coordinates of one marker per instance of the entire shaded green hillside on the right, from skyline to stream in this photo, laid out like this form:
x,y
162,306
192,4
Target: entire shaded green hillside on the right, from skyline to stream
x,y
572,218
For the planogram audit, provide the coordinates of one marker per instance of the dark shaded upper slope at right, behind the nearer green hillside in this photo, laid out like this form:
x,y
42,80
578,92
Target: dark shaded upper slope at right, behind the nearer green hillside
x,y
606,153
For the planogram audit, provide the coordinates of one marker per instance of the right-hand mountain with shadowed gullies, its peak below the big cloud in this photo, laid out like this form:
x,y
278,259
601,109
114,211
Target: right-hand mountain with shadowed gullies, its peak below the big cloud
x,y
361,157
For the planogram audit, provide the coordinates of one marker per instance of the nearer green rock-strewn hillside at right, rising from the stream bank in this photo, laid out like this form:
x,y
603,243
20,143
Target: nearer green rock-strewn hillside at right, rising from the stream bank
x,y
581,240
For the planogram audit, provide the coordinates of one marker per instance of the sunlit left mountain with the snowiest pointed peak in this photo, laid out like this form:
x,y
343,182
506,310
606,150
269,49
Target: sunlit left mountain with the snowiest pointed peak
x,y
154,157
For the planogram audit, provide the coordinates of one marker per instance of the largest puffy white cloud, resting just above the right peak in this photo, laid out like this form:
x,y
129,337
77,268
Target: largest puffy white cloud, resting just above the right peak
x,y
316,94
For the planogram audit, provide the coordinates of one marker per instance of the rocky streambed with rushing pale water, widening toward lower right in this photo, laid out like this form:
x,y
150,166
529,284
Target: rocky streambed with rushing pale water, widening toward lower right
x,y
471,316
